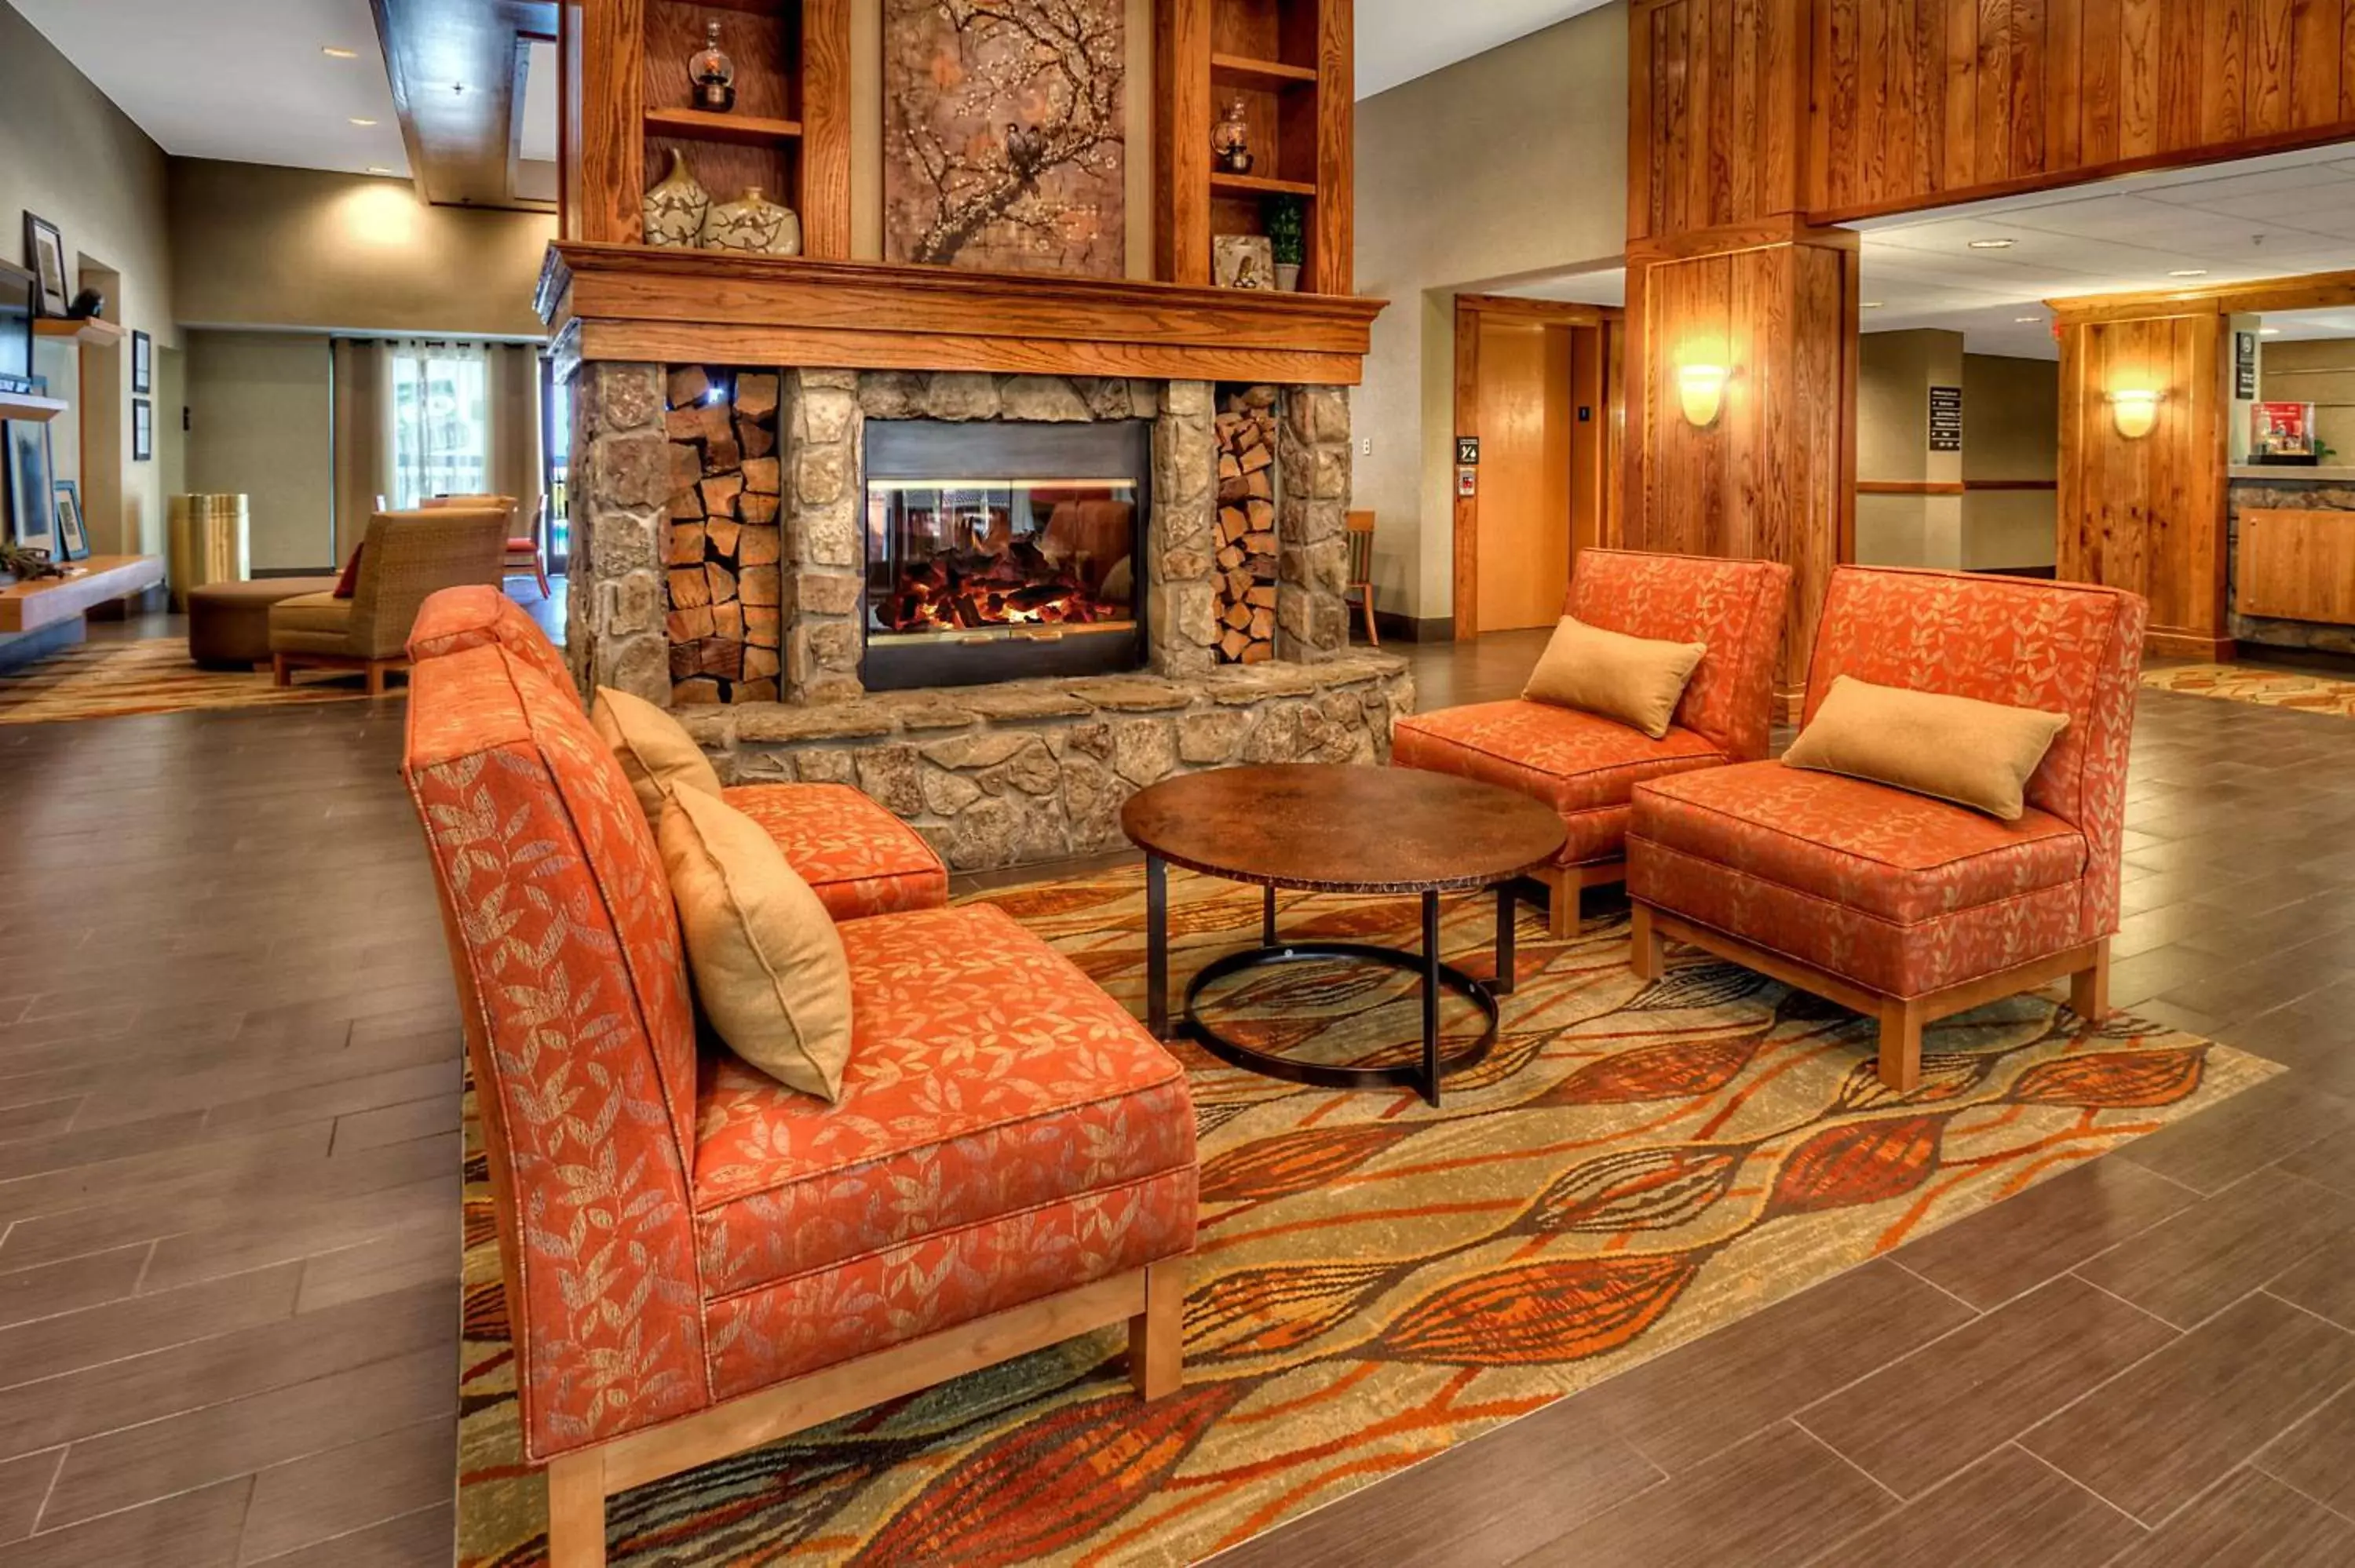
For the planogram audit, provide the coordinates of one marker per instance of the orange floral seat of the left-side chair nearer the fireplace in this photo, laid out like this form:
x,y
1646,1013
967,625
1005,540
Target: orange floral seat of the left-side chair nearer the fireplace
x,y
851,851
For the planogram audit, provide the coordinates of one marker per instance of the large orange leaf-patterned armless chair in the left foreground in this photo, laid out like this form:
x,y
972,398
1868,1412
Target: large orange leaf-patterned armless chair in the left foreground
x,y
698,1258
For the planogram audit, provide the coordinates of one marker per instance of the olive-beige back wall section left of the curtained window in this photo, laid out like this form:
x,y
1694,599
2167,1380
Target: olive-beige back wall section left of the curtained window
x,y
263,427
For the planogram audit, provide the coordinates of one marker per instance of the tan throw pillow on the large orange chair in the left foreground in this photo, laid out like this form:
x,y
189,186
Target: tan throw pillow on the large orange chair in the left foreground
x,y
769,964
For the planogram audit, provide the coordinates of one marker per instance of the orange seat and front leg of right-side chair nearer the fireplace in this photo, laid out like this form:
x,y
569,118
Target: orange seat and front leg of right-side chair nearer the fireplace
x,y
1579,764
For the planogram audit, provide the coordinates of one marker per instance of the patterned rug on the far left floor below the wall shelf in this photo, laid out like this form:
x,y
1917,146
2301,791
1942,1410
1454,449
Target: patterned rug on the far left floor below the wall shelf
x,y
150,677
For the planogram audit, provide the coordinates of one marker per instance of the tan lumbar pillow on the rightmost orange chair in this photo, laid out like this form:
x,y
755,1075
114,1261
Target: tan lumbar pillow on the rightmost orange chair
x,y
1961,750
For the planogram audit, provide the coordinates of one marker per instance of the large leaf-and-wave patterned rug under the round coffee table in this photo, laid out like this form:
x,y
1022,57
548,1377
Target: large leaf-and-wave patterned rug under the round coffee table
x,y
1376,1280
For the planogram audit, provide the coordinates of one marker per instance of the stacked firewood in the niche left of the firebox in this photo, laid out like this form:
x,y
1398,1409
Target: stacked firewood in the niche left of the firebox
x,y
724,540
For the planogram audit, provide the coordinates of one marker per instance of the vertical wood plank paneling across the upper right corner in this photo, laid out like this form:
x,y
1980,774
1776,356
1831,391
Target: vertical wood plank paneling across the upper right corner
x,y
1857,107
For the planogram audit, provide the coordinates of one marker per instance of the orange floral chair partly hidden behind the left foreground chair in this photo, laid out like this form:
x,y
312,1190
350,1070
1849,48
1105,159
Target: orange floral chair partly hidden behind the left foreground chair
x,y
856,856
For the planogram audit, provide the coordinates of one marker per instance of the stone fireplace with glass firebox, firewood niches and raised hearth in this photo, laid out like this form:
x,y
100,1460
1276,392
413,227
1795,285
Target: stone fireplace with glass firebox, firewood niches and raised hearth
x,y
997,604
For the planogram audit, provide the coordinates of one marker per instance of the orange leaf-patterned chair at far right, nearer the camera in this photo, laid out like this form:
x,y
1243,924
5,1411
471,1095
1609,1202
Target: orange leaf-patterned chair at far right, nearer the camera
x,y
1897,905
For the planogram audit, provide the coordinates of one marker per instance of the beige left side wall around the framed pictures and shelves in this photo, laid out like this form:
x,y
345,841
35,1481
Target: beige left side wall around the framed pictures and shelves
x,y
81,164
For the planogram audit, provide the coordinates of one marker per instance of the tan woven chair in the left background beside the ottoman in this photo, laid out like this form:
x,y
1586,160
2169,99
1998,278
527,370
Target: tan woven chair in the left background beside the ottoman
x,y
406,559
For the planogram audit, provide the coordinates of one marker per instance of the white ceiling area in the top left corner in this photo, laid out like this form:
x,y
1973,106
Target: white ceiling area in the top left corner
x,y
244,81
